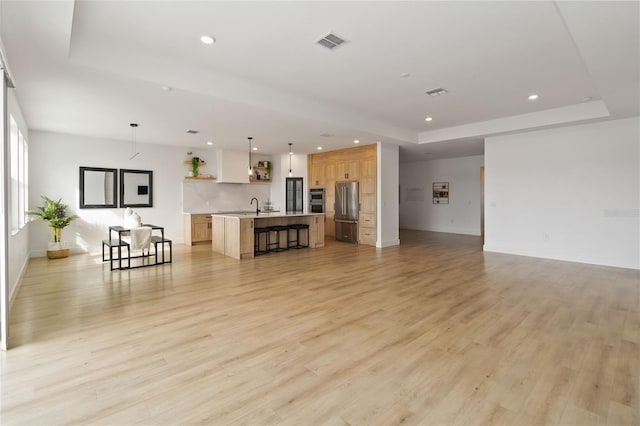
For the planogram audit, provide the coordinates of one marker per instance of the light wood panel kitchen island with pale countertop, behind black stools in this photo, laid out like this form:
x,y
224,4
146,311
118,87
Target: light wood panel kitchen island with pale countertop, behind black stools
x,y
233,233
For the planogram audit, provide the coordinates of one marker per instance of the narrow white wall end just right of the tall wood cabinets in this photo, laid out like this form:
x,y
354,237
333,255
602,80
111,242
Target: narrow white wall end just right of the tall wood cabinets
x,y
388,229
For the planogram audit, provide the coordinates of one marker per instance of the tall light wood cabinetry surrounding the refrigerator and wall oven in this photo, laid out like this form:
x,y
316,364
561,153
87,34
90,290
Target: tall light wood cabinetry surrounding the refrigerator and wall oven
x,y
353,164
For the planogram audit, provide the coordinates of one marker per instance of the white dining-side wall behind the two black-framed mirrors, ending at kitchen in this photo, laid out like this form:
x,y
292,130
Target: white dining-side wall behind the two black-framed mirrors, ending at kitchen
x,y
54,161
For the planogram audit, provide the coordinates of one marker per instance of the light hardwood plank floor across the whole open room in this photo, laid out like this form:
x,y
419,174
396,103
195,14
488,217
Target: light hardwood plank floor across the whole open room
x,y
432,332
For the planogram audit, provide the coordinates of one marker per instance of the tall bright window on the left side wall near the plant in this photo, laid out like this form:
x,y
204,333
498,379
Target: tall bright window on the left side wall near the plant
x,y
19,177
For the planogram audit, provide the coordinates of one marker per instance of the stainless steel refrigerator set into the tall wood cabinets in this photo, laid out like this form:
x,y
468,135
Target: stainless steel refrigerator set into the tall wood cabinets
x,y
346,211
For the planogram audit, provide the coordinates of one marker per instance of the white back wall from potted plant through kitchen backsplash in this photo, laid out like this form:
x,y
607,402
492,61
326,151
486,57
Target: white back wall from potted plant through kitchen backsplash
x,y
54,171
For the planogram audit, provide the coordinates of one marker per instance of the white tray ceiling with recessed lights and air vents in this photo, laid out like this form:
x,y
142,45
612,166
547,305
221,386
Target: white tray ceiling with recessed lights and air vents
x,y
92,67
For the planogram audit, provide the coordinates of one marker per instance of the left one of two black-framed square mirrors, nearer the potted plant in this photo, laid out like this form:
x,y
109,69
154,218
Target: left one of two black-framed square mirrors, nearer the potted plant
x,y
98,188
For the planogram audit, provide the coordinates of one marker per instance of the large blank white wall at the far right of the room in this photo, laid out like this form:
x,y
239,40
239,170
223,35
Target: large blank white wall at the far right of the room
x,y
570,193
